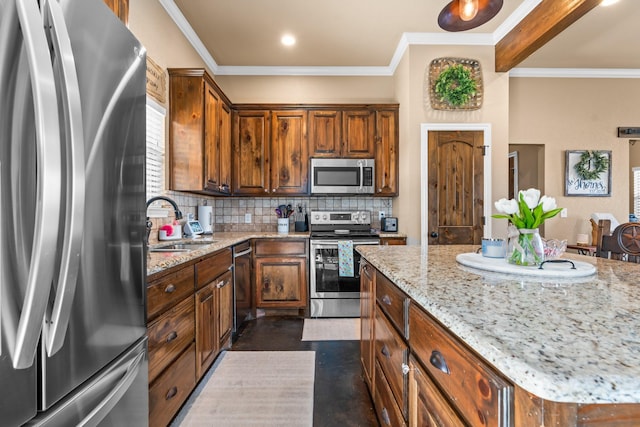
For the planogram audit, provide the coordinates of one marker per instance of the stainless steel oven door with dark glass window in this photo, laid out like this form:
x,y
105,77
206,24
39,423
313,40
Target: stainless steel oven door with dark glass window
x,y
325,280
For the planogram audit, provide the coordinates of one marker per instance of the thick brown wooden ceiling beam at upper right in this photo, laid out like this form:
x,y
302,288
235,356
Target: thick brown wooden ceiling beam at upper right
x,y
546,21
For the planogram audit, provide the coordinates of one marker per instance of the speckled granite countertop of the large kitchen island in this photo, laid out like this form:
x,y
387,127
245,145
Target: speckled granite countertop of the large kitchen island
x,y
562,340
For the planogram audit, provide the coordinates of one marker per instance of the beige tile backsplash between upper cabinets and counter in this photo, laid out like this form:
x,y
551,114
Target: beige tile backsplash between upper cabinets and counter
x,y
229,212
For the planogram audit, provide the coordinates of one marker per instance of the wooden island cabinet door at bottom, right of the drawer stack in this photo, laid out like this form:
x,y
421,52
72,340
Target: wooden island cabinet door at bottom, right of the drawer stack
x,y
427,406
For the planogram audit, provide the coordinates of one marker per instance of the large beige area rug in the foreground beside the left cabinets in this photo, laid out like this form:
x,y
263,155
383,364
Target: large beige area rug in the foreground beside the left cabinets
x,y
256,388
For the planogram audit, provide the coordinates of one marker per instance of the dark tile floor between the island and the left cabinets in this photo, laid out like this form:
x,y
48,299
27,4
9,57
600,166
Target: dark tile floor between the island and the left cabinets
x,y
341,397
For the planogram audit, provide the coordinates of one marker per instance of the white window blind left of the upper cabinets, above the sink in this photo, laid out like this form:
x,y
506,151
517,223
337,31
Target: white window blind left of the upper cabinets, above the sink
x,y
155,148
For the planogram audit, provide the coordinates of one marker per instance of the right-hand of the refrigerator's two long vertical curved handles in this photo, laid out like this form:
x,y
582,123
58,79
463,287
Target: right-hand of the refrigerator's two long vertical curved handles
x,y
55,326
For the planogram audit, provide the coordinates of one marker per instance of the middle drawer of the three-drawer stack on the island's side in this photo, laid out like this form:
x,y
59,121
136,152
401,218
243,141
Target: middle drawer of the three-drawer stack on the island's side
x,y
391,352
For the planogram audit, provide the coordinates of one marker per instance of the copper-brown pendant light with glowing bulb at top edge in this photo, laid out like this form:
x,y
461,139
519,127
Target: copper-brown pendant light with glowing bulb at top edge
x,y
461,15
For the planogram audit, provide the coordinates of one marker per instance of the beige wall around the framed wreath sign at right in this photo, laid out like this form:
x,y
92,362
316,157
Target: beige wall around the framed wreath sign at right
x,y
576,114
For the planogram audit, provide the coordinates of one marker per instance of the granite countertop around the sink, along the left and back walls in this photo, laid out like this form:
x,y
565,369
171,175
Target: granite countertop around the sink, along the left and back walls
x,y
160,261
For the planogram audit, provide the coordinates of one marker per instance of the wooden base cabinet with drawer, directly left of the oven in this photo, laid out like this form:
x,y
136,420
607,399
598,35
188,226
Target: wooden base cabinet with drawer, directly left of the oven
x,y
280,267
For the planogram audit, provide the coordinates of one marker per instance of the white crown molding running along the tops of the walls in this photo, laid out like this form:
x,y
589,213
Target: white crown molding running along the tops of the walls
x,y
407,39
